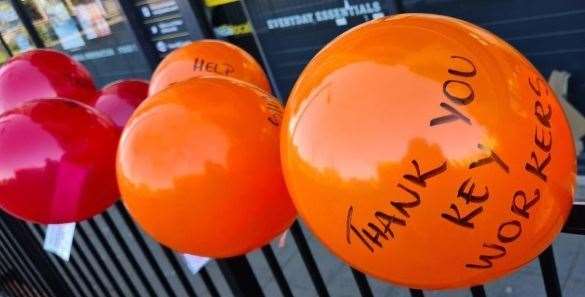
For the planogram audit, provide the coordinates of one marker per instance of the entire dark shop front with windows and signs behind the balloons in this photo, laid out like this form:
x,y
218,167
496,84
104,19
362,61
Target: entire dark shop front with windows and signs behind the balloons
x,y
118,39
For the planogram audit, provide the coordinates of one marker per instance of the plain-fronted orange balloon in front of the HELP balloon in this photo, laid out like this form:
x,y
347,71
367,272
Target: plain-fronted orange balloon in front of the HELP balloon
x,y
199,167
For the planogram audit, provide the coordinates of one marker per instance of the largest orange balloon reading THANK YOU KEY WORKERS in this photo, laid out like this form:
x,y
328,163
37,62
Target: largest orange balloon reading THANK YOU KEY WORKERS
x,y
454,166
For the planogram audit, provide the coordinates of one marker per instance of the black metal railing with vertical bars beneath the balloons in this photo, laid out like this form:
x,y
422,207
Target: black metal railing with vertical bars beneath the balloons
x,y
112,257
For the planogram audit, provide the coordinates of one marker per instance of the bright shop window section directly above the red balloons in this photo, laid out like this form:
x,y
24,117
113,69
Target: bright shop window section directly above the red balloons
x,y
94,32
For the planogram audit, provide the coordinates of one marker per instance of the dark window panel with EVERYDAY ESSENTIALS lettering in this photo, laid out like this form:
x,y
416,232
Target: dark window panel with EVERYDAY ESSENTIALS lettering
x,y
291,32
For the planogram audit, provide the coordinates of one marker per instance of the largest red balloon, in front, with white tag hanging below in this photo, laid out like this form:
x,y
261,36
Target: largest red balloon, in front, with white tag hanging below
x,y
57,159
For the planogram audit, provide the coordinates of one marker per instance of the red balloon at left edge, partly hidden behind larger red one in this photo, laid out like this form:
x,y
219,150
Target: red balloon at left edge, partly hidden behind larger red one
x,y
44,73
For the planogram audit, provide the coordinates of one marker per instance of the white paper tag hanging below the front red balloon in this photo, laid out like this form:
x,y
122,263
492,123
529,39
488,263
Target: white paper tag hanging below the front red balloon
x,y
59,239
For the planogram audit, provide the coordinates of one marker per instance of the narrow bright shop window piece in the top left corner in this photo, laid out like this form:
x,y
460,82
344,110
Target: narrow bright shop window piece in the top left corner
x,y
12,31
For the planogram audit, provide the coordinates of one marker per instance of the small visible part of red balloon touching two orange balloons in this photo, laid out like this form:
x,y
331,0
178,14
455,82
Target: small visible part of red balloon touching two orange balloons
x,y
119,99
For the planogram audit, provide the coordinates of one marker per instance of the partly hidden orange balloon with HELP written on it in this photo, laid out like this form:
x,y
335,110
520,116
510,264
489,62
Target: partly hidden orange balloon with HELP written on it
x,y
208,57
